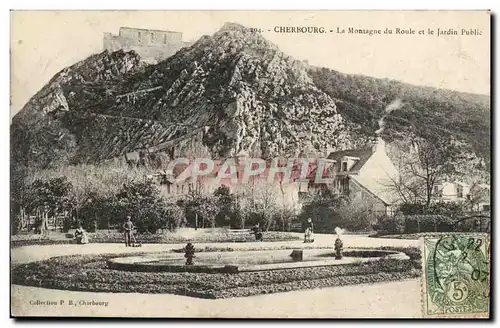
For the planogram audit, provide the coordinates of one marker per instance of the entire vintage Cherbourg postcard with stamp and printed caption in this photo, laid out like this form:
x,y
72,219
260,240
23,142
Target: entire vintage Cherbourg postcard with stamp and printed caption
x,y
250,164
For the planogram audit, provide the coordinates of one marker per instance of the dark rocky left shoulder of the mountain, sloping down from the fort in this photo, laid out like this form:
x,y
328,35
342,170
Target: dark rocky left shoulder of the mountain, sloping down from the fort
x,y
40,133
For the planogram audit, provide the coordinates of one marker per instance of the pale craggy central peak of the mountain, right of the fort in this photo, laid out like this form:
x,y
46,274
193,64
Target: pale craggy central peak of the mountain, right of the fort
x,y
249,95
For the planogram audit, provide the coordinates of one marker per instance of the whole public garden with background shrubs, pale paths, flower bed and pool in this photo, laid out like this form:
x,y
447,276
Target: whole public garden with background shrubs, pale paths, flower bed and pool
x,y
193,251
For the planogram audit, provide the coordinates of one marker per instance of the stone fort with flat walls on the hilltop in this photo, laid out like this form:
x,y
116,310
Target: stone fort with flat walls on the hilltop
x,y
151,45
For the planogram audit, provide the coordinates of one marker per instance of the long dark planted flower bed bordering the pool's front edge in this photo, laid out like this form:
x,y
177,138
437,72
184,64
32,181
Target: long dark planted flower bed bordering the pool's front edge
x,y
90,273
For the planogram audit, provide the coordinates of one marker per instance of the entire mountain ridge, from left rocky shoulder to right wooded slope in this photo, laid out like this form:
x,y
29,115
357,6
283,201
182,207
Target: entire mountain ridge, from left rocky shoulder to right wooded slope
x,y
228,93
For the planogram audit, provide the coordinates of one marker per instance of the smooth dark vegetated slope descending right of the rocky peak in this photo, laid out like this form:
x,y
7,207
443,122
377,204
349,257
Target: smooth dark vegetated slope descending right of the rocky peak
x,y
362,99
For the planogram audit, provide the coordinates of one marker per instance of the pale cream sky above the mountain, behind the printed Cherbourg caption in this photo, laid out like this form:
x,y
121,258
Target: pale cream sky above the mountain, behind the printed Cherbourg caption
x,y
44,42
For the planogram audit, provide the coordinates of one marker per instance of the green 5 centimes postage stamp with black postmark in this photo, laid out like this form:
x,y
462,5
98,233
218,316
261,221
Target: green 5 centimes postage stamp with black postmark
x,y
456,276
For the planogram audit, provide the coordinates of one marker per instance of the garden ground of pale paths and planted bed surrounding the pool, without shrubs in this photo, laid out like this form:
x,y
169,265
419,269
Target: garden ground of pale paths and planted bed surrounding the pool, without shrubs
x,y
80,272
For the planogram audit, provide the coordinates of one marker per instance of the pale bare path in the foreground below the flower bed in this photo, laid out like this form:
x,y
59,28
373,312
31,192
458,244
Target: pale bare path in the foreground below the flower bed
x,y
399,299
